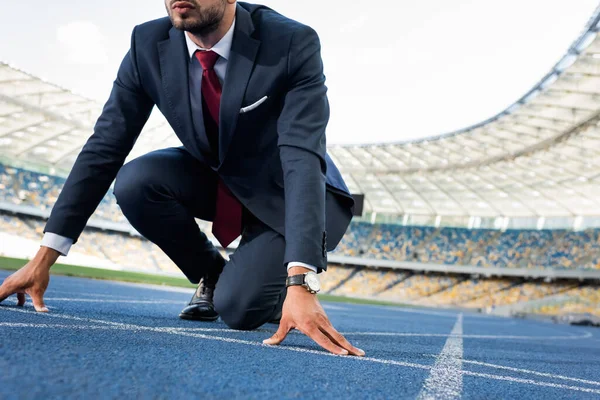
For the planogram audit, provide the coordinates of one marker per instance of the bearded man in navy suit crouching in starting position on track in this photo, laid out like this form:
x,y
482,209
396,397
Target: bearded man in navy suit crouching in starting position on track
x,y
243,88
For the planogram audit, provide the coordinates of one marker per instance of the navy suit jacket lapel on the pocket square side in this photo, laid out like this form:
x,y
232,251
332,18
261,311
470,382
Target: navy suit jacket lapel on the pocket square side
x,y
239,67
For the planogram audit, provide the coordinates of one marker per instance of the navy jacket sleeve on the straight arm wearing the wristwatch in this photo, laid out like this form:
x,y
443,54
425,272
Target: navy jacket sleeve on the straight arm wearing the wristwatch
x,y
301,129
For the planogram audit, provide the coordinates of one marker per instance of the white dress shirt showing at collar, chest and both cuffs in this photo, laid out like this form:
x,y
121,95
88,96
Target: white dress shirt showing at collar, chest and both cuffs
x,y
222,48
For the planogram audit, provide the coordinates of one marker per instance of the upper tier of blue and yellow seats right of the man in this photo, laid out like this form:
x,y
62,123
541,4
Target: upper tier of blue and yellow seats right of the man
x,y
478,247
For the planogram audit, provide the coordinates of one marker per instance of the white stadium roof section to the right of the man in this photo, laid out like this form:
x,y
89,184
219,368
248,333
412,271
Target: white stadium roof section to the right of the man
x,y
539,157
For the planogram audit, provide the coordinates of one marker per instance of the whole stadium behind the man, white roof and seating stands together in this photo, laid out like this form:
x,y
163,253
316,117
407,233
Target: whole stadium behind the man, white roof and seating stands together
x,y
534,168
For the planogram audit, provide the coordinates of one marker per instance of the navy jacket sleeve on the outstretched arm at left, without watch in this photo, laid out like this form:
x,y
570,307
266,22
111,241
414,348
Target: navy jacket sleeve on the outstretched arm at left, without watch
x,y
115,133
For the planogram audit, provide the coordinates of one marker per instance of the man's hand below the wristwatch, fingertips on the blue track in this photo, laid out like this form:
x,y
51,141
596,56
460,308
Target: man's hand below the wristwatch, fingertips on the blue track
x,y
302,311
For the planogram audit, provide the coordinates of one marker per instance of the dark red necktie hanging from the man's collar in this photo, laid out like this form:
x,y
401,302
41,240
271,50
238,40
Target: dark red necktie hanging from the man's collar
x,y
227,224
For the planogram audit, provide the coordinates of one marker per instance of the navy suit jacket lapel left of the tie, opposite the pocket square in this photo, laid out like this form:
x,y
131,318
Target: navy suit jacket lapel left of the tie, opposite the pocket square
x,y
174,67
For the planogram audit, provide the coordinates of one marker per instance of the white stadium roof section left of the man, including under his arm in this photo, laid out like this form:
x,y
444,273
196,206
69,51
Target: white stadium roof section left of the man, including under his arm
x,y
42,123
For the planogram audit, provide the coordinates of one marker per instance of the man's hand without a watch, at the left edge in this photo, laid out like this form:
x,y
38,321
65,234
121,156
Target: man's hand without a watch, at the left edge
x,y
32,279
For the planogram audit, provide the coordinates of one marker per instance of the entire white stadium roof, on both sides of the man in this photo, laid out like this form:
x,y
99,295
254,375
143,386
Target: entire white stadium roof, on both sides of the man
x,y
539,157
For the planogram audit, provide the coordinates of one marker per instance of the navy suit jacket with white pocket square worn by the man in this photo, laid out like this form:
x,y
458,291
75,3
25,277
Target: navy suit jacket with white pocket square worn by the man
x,y
273,158
